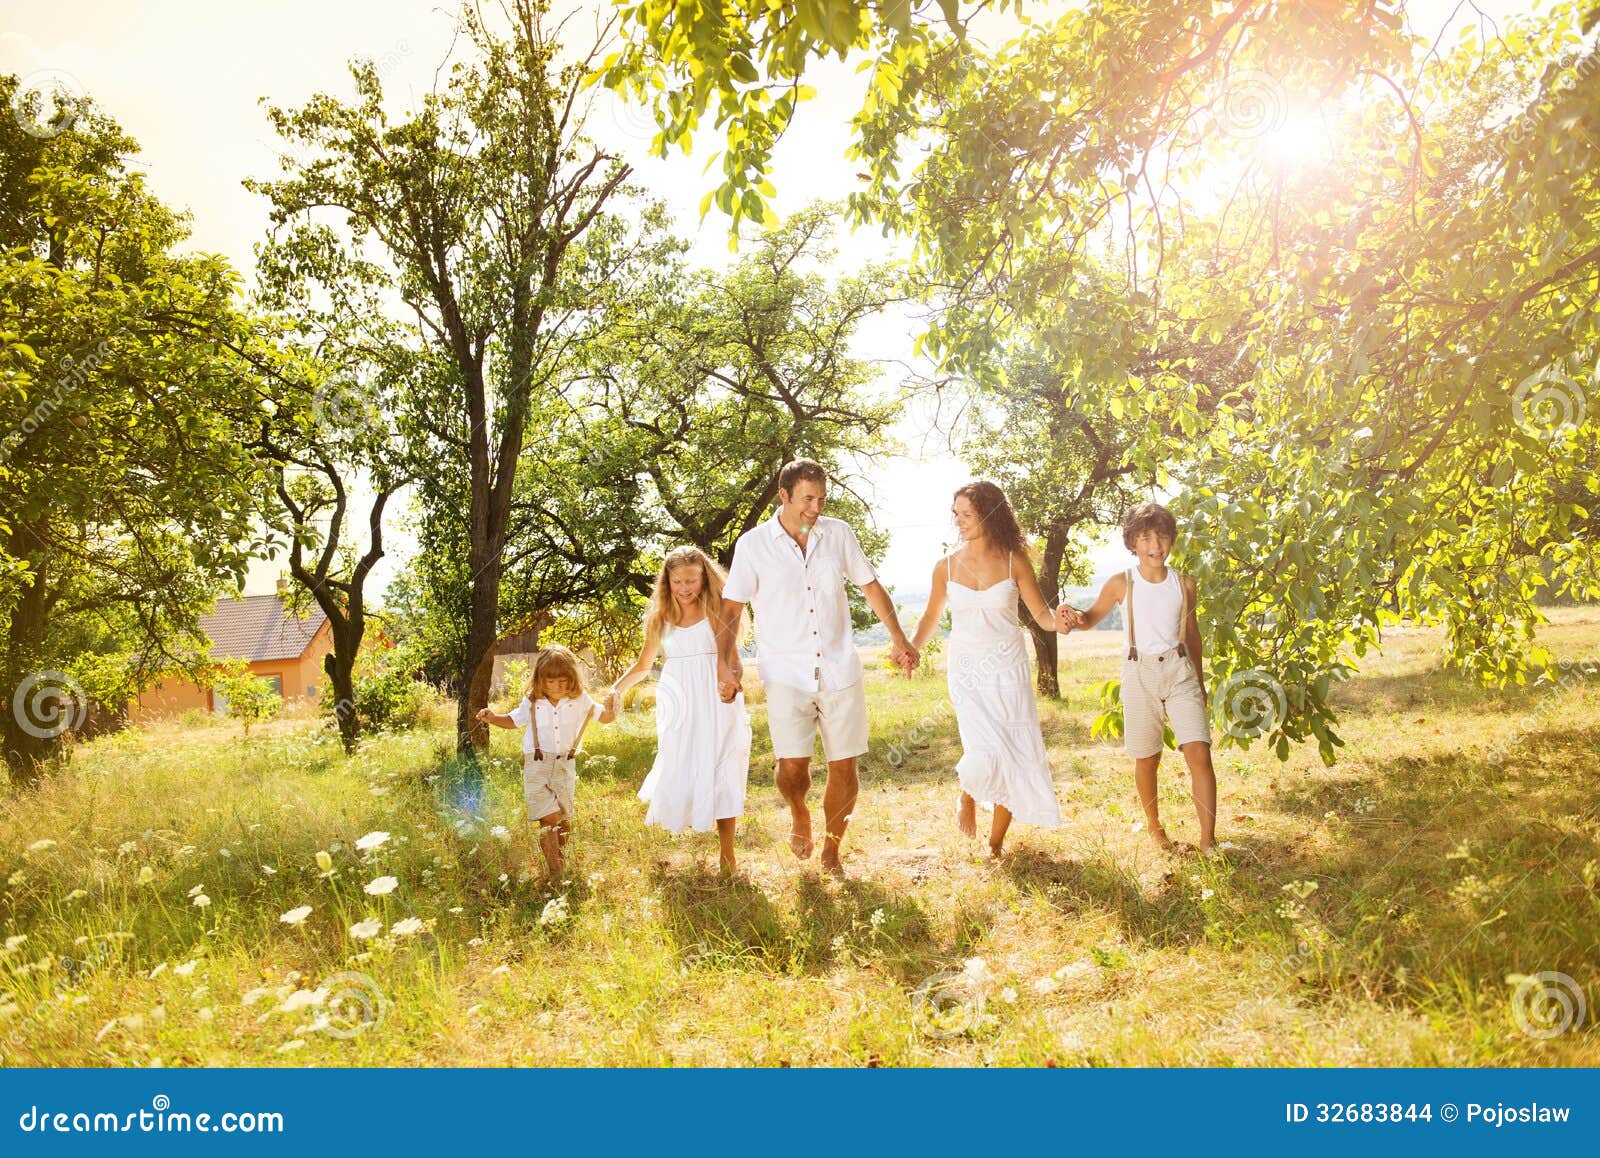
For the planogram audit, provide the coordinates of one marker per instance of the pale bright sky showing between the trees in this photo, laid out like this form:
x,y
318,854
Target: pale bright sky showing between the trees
x,y
185,79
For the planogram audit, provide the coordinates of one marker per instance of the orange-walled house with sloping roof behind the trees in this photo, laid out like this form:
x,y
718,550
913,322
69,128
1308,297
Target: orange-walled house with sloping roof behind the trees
x,y
260,631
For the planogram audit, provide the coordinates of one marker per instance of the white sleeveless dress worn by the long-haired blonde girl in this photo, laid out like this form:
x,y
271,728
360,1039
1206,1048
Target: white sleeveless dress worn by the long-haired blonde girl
x,y
703,746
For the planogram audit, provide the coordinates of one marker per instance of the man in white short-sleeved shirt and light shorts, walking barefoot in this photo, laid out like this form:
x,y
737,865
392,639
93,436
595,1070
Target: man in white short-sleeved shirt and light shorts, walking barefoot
x,y
793,570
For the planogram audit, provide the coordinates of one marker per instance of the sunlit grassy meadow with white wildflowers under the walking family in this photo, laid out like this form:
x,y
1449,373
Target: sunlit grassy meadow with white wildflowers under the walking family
x,y
1378,912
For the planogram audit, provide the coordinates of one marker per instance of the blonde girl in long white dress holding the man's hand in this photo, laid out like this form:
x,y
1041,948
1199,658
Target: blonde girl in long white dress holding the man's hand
x,y
703,754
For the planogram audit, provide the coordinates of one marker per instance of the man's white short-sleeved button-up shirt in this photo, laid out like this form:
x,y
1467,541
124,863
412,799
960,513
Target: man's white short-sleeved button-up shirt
x,y
802,613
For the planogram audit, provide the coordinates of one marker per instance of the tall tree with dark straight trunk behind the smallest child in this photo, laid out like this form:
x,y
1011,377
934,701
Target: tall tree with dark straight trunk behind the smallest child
x,y
476,215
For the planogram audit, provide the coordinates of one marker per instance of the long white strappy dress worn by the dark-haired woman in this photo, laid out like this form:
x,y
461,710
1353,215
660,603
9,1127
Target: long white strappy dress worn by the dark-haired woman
x,y
991,689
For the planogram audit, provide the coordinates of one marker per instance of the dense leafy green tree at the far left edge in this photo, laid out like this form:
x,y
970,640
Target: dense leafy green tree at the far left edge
x,y
127,493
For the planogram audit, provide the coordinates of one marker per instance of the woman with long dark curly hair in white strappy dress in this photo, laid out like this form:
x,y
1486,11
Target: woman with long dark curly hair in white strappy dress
x,y
991,687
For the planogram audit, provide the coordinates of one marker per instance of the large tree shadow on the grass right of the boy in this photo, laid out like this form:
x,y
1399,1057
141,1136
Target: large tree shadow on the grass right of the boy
x,y
1465,872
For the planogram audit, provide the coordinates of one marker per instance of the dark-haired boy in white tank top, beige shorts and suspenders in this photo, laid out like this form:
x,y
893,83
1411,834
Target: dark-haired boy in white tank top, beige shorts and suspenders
x,y
1162,679
